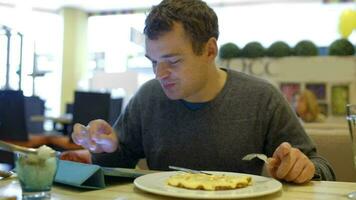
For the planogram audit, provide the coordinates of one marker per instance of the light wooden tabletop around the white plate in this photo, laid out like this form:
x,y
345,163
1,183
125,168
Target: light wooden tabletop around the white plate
x,y
321,190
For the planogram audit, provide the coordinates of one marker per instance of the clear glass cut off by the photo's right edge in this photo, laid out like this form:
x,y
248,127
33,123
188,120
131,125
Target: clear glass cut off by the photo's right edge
x,y
351,119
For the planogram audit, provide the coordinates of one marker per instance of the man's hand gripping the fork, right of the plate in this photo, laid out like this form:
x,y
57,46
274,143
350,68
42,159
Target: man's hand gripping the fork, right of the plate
x,y
290,164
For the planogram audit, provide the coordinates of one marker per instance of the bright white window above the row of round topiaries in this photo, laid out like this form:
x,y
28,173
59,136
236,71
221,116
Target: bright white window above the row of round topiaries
x,y
289,22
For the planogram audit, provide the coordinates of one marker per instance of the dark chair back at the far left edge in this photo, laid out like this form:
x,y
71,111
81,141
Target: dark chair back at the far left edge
x,y
12,116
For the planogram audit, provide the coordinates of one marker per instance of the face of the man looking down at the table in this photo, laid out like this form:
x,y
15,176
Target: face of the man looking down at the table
x,y
182,74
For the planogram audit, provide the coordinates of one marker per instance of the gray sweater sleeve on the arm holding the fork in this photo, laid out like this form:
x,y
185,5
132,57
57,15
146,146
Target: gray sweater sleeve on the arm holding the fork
x,y
283,126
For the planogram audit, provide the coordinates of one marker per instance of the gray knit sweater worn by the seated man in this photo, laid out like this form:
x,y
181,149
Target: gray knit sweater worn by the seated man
x,y
249,115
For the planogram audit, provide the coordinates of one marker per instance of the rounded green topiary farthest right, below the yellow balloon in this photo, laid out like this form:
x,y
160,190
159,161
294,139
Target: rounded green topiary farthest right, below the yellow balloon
x,y
341,47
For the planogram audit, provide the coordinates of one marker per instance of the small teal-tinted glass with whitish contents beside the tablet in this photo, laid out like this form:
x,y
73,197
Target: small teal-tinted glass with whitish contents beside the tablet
x,y
36,174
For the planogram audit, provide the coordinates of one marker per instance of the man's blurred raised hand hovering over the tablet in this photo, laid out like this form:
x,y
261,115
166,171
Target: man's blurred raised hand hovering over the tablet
x,y
97,137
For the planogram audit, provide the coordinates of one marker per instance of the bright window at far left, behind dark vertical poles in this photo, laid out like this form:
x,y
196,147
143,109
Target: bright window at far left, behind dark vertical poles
x,y
42,39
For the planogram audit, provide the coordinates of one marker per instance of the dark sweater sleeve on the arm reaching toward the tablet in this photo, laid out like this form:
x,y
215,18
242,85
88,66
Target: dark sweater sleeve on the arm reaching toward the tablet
x,y
128,130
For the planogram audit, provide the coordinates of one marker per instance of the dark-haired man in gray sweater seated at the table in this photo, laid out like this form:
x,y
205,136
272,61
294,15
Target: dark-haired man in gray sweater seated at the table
x,y
197,115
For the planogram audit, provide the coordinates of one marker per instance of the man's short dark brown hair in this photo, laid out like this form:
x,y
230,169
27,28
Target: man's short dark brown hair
x,y
198,19
